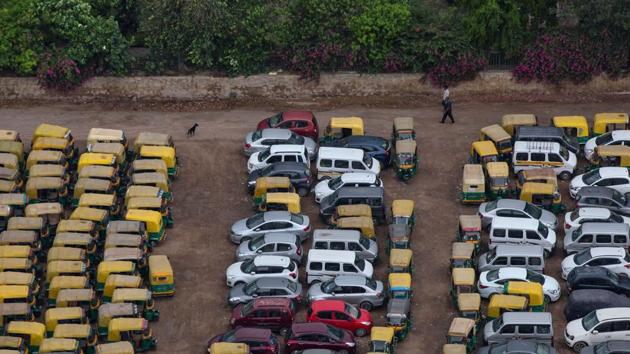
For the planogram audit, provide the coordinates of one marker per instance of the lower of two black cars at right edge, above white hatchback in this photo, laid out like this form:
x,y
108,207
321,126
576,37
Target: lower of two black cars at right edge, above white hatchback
x,y
583,301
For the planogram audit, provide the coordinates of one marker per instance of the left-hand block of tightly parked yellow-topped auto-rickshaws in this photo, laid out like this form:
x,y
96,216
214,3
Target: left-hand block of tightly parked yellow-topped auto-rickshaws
x,y
77,231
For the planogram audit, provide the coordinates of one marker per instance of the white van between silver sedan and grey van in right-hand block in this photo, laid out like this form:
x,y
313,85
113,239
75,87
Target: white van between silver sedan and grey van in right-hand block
x,y
522,231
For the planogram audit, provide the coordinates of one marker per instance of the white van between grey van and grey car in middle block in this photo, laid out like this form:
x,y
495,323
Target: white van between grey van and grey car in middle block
x,y
325,264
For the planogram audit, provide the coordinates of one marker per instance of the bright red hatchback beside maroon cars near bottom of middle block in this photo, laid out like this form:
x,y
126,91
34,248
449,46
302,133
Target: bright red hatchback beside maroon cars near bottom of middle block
x,y
342,315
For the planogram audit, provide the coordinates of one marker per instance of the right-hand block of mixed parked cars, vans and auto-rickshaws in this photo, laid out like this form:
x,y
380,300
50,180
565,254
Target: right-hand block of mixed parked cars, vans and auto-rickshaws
x,y
522,234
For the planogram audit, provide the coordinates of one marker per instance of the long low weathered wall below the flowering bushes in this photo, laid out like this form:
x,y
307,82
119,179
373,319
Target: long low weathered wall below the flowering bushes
x,y
287,87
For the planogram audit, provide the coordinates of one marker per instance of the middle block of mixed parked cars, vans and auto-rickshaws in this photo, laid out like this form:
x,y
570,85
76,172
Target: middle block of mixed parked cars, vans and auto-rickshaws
x,y
266,291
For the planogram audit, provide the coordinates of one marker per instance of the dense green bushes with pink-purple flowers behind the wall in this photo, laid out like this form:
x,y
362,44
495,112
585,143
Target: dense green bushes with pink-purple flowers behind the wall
x,y
66,41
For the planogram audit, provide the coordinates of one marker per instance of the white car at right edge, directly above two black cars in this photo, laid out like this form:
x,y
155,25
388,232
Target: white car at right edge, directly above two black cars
x,y
616,259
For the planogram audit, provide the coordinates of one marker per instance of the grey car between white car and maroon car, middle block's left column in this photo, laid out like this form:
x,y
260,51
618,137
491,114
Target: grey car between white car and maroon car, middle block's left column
x,y
265,287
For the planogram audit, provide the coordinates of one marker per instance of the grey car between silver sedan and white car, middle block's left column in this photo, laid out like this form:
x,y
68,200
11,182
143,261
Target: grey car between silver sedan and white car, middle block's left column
x,y
278,244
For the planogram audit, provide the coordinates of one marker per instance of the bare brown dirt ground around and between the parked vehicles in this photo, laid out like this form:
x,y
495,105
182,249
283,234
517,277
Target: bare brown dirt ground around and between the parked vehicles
x,y
210,194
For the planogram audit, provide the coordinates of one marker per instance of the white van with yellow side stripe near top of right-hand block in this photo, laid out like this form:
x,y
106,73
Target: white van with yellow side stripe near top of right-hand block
x,y
528,155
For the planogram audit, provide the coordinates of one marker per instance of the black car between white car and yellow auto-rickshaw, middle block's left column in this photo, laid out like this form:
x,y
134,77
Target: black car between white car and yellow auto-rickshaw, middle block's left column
x,y
298,173
